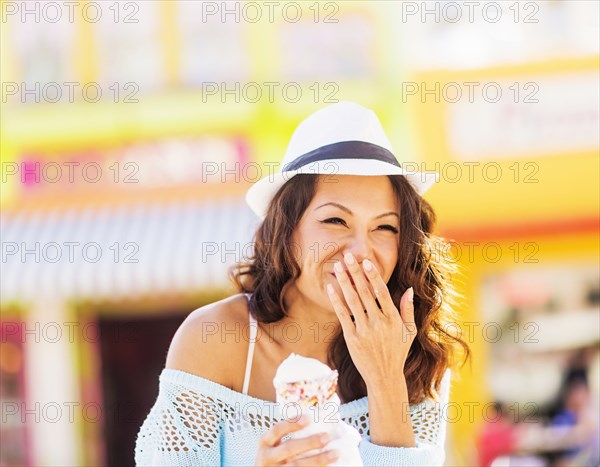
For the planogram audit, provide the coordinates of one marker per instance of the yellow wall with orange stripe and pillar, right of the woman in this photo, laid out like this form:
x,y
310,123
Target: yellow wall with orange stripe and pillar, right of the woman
x,y
566,193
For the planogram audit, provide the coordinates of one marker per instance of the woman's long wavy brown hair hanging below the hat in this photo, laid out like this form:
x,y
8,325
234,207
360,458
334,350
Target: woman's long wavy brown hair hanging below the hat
x,y
272,268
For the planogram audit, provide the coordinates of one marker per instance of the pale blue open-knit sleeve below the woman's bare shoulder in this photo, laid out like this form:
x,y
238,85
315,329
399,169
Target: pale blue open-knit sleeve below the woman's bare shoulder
x,y
183,428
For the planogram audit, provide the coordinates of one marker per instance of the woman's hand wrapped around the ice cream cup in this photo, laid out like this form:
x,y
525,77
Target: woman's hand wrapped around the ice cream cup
x,y
271,451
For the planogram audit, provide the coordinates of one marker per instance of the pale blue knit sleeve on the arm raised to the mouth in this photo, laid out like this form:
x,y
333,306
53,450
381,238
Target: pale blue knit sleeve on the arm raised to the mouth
x,y
429,427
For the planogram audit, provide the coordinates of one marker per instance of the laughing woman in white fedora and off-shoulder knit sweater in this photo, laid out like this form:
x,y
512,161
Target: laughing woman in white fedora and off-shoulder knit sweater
x,y
344,270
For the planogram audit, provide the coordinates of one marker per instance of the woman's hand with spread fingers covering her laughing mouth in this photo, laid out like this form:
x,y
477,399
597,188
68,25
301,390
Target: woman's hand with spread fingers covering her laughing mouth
x,y
379,339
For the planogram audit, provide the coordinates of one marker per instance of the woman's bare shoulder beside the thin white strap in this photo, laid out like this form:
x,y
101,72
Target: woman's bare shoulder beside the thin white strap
x,y
210,342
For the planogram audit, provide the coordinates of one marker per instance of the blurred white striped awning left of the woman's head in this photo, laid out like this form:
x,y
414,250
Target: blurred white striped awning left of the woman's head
x,y
118,252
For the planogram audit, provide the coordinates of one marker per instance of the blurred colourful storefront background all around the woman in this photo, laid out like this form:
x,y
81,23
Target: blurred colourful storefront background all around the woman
x,y
130,131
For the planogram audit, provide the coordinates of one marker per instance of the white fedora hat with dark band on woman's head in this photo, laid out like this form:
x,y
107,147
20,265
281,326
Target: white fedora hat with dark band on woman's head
x,y
341,139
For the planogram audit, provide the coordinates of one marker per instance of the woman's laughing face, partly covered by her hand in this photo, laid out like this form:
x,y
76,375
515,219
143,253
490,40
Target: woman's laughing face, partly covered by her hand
x,y
349,213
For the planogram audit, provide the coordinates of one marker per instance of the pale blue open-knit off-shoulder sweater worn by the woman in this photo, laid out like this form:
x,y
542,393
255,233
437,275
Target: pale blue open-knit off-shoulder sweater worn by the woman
x,y
195,421
